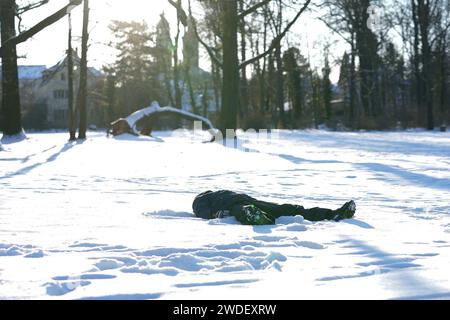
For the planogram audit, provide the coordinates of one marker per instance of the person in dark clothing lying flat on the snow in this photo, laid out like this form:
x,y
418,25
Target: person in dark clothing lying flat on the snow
x,y
250,211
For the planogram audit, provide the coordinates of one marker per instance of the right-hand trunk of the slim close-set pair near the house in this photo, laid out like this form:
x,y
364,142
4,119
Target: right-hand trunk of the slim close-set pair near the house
x,y
82,90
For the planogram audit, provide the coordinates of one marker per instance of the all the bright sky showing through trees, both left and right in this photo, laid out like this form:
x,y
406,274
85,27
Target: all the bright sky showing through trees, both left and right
x,y
48,47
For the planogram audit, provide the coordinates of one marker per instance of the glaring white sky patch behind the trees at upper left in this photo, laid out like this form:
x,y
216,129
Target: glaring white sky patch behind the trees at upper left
x,y
48,46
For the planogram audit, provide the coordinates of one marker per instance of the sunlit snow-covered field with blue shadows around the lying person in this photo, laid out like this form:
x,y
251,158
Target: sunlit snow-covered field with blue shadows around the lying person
x,y
112,218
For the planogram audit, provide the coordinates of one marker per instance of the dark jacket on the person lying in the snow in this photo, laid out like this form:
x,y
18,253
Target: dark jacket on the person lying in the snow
x,y
208,203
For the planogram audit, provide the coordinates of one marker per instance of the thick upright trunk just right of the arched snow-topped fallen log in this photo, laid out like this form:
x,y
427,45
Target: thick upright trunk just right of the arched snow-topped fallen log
x,y
230,85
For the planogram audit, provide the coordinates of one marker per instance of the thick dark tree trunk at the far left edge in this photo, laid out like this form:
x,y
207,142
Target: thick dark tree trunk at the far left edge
x,y
12,123
